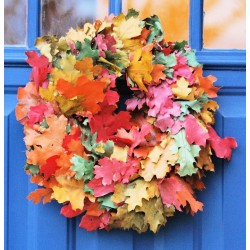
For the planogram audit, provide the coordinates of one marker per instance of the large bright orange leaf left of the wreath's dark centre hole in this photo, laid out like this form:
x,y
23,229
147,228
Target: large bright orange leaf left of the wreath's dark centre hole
x,y
91,91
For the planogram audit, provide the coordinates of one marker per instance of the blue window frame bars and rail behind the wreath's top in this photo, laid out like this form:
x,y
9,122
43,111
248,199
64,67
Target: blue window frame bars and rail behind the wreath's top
x,y
235,58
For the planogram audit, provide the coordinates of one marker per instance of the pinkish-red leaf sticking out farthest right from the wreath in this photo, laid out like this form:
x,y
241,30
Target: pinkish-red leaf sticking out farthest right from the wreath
x,y
221,146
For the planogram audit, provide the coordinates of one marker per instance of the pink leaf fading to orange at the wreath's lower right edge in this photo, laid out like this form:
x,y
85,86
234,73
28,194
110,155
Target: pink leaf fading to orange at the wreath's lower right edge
x,y
175,191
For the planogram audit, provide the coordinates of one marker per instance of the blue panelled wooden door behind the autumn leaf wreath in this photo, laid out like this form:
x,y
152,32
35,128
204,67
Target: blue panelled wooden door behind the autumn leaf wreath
x,y
38,227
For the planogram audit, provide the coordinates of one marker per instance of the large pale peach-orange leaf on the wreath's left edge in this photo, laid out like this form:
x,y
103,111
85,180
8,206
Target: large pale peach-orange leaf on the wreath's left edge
x,y
46,143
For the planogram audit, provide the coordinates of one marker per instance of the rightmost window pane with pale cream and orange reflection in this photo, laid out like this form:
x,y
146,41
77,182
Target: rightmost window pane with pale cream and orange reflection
x,y
224,24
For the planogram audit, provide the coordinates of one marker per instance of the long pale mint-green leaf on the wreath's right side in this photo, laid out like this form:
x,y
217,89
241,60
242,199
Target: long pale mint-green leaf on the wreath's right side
x,y
186,154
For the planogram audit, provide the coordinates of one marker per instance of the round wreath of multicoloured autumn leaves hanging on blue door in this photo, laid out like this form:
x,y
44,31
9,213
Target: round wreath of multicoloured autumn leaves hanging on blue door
x,y
118,124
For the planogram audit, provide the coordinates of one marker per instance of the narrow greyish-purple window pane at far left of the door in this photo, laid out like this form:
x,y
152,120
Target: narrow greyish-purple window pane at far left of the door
x,y
15,22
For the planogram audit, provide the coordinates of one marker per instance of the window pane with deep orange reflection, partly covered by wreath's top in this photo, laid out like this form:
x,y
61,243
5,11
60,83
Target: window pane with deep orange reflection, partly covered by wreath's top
x,y
173,14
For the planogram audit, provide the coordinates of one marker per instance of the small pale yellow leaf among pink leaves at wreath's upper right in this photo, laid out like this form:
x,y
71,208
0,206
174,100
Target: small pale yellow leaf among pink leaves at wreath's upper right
x,y
182,91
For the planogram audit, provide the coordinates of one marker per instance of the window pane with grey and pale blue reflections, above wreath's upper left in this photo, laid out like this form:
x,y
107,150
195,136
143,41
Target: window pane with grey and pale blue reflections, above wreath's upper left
x,y
59,16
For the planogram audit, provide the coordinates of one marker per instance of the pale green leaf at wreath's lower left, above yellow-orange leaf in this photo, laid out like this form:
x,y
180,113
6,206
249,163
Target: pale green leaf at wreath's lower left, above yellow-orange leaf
x,y
82,167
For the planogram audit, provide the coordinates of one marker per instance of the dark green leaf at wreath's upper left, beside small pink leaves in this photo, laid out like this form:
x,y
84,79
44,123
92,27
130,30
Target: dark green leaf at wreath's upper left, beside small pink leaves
x,y
85,50
